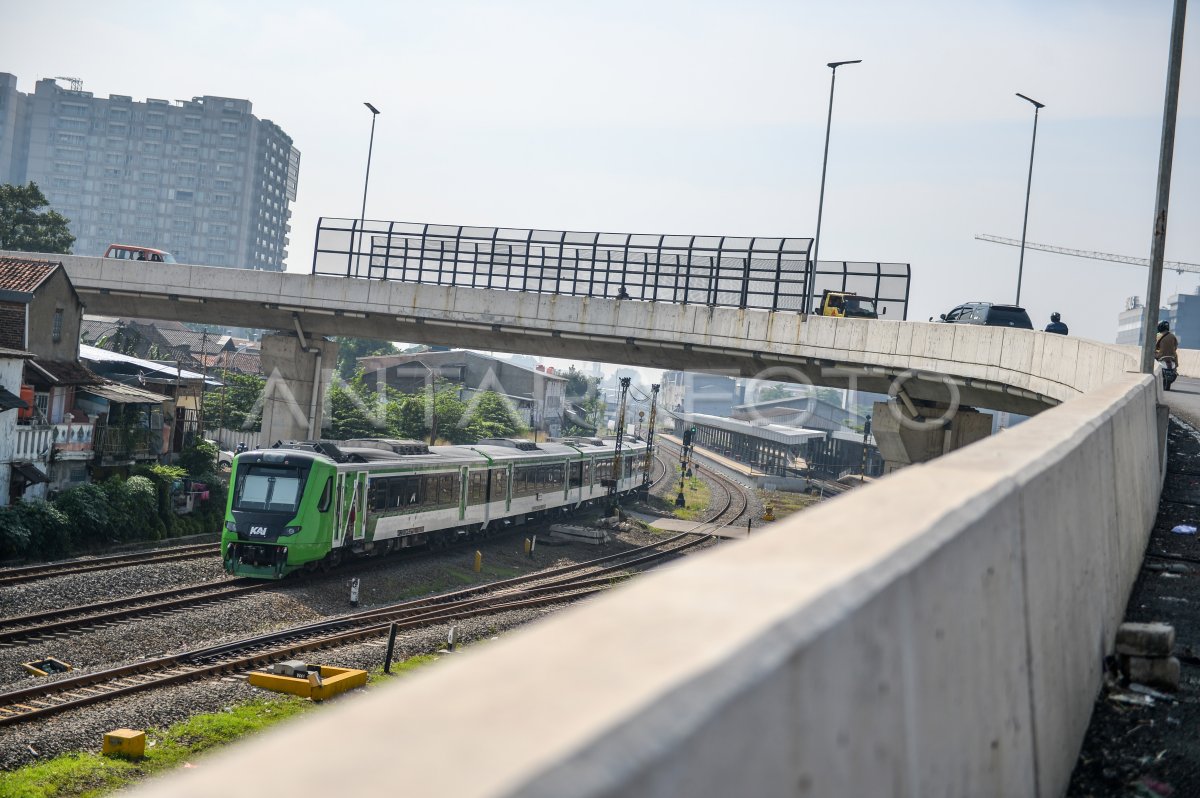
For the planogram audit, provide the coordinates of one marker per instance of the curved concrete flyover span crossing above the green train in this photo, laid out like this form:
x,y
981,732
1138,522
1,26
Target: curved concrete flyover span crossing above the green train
x,y
1018,371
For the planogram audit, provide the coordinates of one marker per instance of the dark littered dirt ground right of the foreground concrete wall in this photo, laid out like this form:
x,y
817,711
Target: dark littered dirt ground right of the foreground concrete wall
x,y
1155,749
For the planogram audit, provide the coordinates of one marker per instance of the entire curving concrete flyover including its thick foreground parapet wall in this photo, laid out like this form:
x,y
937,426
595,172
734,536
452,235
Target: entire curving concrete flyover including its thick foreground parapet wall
x,y
938,633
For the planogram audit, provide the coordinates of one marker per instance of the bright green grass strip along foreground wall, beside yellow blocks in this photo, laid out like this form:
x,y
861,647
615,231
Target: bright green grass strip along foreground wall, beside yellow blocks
x,y
91,776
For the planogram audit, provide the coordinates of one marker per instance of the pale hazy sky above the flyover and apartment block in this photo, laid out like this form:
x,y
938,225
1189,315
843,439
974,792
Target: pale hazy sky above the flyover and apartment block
x,y
701,118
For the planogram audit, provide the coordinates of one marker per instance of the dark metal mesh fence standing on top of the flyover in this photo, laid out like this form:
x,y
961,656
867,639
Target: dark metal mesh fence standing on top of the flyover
x,y
761,273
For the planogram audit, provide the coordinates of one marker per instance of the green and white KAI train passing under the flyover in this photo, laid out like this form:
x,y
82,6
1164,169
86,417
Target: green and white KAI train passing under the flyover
x,y
308,506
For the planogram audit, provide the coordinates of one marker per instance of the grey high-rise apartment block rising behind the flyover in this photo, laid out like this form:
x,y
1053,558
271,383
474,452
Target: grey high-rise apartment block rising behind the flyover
x,y
203,178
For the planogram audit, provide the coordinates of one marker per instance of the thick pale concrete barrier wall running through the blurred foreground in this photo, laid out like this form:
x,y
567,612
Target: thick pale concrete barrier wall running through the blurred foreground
x,y
940,633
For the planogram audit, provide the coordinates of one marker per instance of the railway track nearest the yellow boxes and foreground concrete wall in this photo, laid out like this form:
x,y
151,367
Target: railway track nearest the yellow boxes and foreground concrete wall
x,y
554,586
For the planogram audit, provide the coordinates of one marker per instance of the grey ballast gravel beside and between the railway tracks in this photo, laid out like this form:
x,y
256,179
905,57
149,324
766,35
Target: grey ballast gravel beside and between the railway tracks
x,y
289,604
